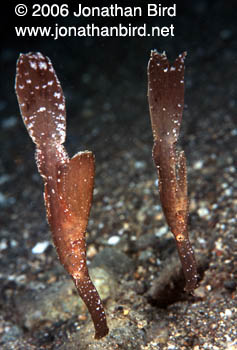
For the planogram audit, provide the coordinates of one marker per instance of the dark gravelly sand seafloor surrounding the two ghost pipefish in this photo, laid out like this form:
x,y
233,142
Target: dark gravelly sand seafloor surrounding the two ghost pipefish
x,y
130,249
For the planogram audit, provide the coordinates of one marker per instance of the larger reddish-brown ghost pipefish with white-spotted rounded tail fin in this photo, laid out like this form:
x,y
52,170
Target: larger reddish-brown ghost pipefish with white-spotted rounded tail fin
x,y
68,183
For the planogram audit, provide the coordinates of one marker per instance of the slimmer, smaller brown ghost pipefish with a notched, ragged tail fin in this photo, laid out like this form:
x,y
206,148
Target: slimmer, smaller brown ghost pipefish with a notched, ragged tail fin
x,y
166,100
